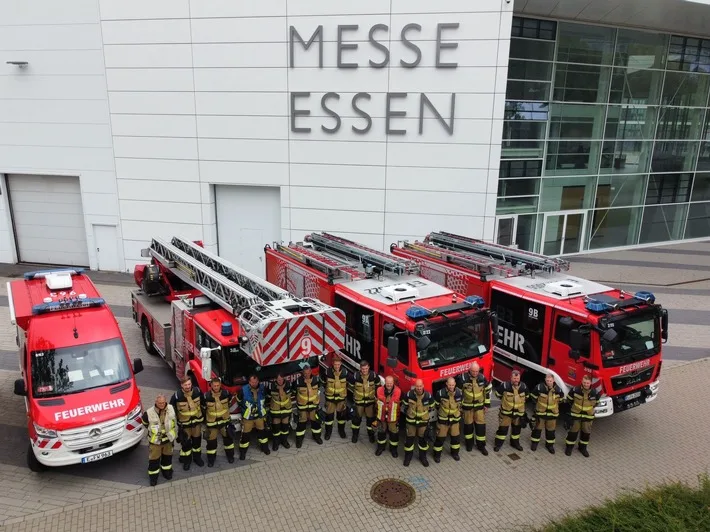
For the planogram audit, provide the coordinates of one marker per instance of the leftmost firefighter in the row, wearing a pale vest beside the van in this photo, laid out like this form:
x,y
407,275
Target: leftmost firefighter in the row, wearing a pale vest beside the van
x,y
162,430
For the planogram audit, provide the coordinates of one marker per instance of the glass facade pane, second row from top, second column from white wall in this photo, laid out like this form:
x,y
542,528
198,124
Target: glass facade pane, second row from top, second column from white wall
x,y
581,83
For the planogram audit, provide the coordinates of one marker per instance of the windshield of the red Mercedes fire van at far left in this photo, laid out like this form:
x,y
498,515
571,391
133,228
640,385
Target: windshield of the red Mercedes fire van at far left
x,y
79,368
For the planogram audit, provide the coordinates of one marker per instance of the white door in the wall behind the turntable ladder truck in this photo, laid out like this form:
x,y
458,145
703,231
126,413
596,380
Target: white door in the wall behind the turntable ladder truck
x,y
248,218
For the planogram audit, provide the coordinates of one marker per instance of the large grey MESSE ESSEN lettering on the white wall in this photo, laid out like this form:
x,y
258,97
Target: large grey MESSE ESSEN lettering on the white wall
x,y
377,40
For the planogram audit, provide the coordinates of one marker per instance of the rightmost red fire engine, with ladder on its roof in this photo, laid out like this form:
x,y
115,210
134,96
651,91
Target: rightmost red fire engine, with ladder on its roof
x,y
553,322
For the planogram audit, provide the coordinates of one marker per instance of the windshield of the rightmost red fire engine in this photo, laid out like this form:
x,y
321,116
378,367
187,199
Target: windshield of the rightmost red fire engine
x,y
638,337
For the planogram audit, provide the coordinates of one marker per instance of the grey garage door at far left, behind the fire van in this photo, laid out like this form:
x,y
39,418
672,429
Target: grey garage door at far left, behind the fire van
x,y
48,218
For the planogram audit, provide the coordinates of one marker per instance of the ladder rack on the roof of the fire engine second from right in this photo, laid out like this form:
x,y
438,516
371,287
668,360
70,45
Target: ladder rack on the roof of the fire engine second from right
x,y
366,256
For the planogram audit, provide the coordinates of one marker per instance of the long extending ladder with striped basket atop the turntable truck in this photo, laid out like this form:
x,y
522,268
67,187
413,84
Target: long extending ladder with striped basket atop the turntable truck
x,y
278,327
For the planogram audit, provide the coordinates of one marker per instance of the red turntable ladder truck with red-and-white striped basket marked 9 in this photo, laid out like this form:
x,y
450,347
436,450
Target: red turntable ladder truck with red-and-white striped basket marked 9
x,y
206,317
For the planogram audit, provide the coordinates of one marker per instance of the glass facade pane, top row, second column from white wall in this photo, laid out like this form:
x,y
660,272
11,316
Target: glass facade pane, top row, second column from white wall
x,y
578,43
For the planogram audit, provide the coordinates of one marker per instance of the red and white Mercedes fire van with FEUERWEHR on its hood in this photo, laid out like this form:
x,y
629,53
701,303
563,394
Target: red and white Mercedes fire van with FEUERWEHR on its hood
x,y
82,401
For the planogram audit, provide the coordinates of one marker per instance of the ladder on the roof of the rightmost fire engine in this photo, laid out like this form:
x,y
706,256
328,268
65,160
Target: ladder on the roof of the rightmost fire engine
x,y
528,261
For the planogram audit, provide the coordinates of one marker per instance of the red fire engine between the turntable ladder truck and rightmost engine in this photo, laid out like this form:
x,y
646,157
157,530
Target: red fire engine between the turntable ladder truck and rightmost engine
x,y
402,324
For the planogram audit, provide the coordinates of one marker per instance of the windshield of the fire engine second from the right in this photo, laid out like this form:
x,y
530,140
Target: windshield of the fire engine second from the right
x,y
454,342
